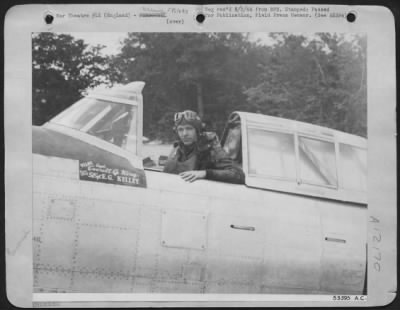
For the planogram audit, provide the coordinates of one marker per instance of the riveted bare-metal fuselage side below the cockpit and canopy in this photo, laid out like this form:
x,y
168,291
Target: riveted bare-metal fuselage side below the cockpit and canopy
x,y
201,237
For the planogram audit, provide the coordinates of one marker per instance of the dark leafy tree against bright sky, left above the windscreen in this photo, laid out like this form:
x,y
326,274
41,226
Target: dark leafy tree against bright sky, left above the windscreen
x,y
63,68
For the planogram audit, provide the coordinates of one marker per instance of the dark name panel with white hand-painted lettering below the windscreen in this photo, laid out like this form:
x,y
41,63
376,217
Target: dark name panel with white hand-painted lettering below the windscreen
x,y
98,172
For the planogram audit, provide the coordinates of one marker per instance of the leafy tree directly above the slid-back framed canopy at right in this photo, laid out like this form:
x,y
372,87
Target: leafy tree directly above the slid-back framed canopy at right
x,y
320,80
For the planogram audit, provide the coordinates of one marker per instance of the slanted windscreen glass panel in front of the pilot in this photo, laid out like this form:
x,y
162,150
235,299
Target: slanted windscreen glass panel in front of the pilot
x,y
109,121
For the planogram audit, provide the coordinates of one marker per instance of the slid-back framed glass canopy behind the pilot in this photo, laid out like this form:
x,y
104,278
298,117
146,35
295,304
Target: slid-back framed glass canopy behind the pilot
x,y
297,157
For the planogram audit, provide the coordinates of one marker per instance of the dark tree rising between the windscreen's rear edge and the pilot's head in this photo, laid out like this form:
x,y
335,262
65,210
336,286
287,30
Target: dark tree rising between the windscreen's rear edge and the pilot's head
x,y
150,57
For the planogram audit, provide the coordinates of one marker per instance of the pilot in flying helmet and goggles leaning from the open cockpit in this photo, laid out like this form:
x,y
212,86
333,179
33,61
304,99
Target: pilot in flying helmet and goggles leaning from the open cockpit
x,y
198,154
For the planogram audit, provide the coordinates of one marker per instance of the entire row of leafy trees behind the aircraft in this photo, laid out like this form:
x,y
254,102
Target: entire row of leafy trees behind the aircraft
x,y
319,79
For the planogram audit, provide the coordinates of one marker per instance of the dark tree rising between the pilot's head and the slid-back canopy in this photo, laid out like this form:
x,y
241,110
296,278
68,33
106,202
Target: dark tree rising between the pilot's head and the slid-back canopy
x,y
217,67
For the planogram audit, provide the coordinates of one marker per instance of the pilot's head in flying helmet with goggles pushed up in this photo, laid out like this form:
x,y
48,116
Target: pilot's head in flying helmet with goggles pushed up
x,y
188,126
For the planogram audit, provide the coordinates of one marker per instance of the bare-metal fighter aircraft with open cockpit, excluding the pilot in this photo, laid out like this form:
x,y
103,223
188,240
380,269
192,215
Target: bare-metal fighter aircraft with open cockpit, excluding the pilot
x,y
104,222
